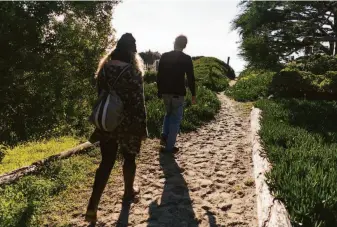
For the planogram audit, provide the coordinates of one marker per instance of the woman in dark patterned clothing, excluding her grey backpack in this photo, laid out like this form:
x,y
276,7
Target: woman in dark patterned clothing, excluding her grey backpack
x,y
130,133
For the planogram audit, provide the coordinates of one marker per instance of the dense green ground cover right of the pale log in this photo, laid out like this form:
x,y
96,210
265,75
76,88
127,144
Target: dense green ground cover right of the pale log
x,y
300,140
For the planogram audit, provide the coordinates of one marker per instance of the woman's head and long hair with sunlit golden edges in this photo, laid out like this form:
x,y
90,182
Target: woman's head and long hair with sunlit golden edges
x,y
125,51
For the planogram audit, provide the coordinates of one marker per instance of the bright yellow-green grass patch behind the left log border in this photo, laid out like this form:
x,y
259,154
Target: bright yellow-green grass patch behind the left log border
x,y
27,153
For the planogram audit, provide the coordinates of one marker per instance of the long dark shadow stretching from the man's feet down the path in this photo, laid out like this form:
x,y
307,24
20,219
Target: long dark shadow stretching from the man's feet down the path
x,y
175,208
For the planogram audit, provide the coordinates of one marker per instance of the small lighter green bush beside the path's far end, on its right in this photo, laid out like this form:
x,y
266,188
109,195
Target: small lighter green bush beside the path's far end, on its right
x,y
252,86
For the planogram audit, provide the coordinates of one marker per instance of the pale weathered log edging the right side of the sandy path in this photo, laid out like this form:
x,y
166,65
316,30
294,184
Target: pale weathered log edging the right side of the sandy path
x,y
270,212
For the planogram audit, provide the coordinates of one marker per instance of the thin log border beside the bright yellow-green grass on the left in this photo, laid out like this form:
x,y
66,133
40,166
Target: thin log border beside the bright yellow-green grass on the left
x,y
14,175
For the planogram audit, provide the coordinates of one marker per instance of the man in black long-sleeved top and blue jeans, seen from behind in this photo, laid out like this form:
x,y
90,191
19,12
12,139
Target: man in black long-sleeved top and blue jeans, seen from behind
x,y
173,66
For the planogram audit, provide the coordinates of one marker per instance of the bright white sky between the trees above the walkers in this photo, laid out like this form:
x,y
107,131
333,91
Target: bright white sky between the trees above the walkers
x,y
206,23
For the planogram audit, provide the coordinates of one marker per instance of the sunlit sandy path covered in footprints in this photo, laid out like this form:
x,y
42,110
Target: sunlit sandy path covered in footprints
x,y
208,183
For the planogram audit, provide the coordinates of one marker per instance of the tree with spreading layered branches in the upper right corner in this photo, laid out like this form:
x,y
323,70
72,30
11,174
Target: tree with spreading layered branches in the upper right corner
x,y
273,31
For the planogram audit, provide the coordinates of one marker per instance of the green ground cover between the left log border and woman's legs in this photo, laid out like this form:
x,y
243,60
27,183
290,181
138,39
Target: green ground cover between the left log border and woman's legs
x,y
25,202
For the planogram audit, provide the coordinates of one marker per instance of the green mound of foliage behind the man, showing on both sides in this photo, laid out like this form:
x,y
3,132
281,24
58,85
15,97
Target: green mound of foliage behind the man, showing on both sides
x,y
194,116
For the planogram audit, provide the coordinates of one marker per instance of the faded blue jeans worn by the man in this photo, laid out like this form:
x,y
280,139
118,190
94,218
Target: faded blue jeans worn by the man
x,y
174,106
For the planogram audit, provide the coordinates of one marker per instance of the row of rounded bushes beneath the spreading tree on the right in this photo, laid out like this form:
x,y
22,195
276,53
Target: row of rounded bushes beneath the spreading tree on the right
x,y
311,78
